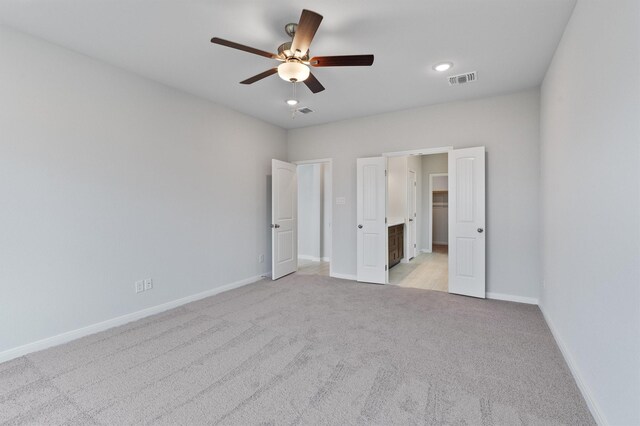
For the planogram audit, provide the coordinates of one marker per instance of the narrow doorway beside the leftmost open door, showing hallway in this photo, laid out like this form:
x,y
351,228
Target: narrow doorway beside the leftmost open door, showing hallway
x,y
314,217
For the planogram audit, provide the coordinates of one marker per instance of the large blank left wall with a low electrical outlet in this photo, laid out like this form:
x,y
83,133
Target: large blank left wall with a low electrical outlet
x,y
108,178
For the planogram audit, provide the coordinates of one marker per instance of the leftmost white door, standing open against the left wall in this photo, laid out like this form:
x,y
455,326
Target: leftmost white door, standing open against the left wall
x,y
284,217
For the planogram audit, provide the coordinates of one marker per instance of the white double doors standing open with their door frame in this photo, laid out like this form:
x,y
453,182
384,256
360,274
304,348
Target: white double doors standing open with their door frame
x,y
466,215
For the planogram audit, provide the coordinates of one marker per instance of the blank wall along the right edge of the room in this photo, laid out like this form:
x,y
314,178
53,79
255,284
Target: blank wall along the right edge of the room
x,y
590,133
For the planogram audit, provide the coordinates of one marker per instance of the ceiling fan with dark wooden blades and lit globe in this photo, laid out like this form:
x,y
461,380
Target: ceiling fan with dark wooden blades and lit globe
x,y
294,54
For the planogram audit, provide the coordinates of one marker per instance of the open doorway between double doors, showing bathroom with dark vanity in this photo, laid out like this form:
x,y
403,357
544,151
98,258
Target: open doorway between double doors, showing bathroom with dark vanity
x,y
424,221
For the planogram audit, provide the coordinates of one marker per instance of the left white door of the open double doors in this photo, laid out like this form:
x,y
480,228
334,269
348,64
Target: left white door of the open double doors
x,y
372,231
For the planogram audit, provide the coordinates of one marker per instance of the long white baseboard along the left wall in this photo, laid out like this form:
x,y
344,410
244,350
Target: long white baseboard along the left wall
x,y
114,322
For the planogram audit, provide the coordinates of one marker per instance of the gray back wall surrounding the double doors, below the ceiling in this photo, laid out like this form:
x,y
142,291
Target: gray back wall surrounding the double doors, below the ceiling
x,y
509,128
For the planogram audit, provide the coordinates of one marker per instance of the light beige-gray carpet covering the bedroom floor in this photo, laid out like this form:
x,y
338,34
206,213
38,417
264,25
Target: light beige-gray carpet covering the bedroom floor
x,y
305,350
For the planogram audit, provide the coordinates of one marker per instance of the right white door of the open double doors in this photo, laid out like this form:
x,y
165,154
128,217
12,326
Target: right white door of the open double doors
x,y
467,222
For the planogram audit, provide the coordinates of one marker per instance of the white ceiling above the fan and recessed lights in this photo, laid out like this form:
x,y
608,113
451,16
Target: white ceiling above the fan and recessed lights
x,y
508,42
